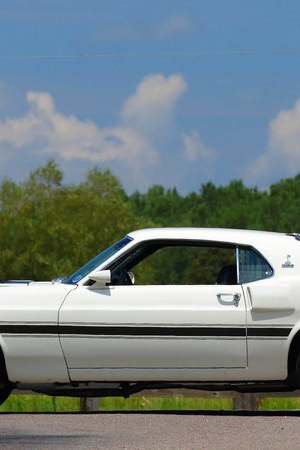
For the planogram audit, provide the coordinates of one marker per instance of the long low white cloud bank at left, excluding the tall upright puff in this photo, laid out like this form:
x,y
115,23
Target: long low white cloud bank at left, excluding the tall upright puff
x,y
48,131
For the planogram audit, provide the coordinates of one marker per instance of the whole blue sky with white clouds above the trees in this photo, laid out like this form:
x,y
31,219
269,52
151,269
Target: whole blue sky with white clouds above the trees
x,y
175,92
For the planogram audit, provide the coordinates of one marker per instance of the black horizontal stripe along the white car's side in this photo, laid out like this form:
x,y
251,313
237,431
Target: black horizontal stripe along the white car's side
x,y
77,330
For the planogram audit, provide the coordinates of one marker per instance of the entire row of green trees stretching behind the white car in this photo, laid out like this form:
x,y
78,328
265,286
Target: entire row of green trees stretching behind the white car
x,y
48,228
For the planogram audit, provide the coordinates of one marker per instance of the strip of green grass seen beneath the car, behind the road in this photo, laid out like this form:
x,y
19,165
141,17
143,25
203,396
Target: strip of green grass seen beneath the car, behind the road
x,y
42,403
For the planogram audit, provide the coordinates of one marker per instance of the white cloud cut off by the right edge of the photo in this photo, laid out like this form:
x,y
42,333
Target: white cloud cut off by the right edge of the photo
x,y
283,150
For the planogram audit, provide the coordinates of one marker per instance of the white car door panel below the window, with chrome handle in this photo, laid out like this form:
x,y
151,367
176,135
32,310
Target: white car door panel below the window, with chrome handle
x,y
153,332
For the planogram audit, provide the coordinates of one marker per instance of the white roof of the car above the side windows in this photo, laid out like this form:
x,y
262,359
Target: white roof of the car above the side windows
x,y
236,236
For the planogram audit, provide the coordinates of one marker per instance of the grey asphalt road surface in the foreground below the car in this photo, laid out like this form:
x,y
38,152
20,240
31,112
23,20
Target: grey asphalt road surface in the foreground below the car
x,y
150,431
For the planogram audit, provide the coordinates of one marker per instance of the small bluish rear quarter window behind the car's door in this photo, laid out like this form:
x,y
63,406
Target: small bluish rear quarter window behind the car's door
x,y
252,266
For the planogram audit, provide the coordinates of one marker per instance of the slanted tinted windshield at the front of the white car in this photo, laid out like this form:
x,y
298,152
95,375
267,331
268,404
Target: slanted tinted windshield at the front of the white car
x,y
97,261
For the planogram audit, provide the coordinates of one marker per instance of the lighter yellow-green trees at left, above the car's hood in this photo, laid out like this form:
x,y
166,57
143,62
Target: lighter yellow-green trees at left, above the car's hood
x,y
48,229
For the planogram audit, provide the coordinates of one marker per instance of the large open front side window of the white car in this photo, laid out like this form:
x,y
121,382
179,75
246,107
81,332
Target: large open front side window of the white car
x,y
186,263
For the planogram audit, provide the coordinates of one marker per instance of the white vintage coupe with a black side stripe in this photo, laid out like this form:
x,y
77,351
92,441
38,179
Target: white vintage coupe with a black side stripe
x,y
191,308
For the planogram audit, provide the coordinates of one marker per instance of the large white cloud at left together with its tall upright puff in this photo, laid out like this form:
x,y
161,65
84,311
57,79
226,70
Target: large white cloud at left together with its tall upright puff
x,y
144,116
